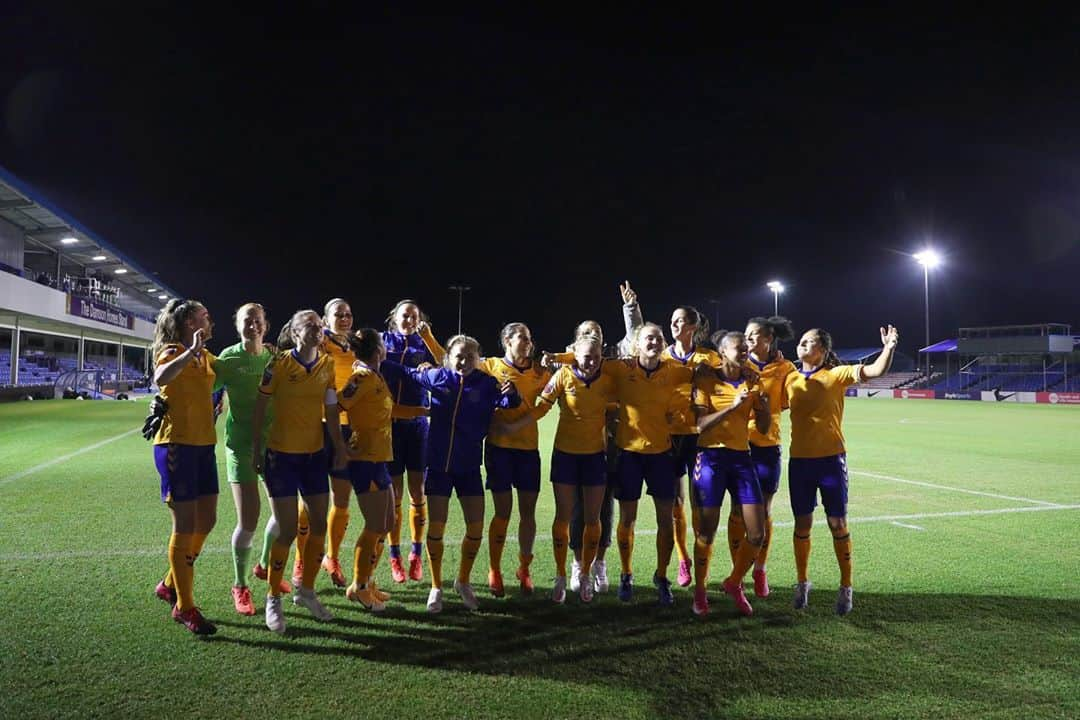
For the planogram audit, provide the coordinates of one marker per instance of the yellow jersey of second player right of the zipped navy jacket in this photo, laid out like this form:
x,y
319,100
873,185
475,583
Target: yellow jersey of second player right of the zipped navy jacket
x,y
583,410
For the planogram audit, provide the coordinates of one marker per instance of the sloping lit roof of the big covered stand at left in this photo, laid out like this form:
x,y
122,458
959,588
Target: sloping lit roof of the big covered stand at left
x,y
46,224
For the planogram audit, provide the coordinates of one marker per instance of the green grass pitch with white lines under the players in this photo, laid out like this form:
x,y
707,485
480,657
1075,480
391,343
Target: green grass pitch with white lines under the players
x,y
974,613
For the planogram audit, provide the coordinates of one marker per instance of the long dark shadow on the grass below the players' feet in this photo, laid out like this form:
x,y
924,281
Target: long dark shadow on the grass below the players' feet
x,y
953,648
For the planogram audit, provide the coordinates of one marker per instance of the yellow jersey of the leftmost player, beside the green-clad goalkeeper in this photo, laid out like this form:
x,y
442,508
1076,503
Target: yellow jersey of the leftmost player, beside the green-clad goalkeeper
x,y
191,416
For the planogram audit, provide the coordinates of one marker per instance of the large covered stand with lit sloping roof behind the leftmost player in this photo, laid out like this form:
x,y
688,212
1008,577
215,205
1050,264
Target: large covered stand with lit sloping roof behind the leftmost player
x,y
71,304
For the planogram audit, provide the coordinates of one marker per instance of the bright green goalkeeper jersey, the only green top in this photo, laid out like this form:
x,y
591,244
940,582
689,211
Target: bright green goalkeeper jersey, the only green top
x,y
240,372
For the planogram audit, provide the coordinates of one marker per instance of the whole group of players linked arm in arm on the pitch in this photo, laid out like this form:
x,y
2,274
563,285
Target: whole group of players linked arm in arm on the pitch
x,y
332,413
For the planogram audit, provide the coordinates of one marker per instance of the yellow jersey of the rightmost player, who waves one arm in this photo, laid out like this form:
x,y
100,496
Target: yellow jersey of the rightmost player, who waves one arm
x,y
817,403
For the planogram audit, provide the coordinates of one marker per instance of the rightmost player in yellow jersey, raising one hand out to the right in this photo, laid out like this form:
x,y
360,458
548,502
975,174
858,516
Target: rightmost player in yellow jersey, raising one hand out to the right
x,y
818,458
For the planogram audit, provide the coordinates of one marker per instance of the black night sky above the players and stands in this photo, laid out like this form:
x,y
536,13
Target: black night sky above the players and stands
x,y
542,159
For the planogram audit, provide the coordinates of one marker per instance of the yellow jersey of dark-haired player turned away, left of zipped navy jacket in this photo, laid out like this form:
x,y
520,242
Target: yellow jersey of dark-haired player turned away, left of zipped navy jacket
x,y
367,399
